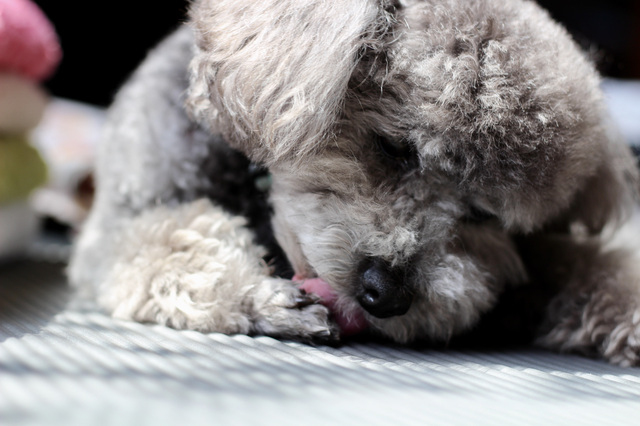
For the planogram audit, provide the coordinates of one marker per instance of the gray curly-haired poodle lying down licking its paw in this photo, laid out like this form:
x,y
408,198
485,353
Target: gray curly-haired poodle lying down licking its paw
x,y
422,169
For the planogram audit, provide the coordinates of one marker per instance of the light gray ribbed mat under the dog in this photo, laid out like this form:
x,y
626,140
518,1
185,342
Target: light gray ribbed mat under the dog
x,y
60,365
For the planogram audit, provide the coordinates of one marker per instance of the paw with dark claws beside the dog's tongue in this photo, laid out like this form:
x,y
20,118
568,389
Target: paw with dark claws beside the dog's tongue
x,y
282,310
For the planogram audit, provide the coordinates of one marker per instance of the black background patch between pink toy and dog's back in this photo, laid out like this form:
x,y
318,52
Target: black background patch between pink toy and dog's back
x,y
103,42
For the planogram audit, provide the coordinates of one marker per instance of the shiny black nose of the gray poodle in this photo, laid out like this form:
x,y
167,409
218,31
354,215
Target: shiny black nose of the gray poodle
x,y
382,289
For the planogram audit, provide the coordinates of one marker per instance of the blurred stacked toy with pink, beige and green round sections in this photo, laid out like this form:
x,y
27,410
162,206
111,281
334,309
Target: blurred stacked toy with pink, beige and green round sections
x,y
29,53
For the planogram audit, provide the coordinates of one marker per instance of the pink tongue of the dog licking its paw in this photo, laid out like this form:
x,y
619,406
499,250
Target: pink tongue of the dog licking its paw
x,y
350,323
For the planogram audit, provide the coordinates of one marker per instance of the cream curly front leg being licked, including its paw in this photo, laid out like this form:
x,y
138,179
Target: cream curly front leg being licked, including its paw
x,y
196,267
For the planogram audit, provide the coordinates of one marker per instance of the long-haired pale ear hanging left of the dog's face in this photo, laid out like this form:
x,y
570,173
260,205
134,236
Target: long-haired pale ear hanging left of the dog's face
x,y
271,75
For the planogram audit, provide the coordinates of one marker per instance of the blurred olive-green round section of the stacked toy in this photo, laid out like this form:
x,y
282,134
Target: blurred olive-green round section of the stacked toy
x,y
21,169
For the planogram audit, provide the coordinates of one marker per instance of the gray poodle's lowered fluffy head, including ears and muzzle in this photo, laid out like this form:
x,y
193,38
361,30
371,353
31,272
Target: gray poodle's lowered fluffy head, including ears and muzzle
x,y
409,141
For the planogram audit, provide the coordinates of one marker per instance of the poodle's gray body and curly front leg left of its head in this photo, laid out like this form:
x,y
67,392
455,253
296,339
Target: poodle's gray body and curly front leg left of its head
x,y
150,252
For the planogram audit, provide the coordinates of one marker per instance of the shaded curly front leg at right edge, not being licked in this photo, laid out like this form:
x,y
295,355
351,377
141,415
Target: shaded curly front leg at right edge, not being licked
x,y
597,309
